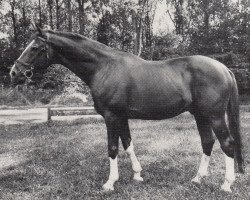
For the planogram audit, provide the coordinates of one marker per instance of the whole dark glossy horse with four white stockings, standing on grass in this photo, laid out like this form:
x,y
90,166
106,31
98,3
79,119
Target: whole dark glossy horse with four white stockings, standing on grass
x,y
124,86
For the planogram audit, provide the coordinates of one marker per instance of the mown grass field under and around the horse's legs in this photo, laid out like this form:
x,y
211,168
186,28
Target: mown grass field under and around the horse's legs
x,y
69,161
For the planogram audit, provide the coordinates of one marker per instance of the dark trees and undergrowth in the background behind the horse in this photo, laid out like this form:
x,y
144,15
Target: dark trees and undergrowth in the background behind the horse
x,y
216,28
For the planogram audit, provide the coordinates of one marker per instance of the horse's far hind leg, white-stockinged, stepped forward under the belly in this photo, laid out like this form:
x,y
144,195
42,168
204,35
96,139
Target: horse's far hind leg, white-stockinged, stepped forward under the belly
x,y
207,142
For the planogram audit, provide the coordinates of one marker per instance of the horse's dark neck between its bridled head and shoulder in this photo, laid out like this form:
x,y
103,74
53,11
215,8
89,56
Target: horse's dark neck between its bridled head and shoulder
x,y
81,57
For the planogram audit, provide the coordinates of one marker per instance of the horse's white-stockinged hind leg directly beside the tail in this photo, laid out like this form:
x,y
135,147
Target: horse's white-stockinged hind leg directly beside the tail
x,y
227,145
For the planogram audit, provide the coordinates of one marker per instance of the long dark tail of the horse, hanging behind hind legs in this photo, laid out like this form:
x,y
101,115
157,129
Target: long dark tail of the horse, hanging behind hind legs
x,y
234,125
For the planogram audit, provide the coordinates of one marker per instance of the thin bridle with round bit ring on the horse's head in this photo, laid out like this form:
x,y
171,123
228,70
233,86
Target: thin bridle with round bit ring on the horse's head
x,y
28,73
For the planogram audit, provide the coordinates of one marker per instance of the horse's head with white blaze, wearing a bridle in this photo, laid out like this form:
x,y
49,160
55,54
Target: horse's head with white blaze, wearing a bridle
x,y
35,57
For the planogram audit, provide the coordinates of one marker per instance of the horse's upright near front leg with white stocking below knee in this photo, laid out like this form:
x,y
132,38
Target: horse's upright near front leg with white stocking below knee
x,y
113,124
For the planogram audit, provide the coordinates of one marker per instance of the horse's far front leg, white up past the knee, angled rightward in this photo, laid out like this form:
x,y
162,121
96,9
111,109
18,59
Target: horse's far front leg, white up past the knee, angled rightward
x,y
129,148
